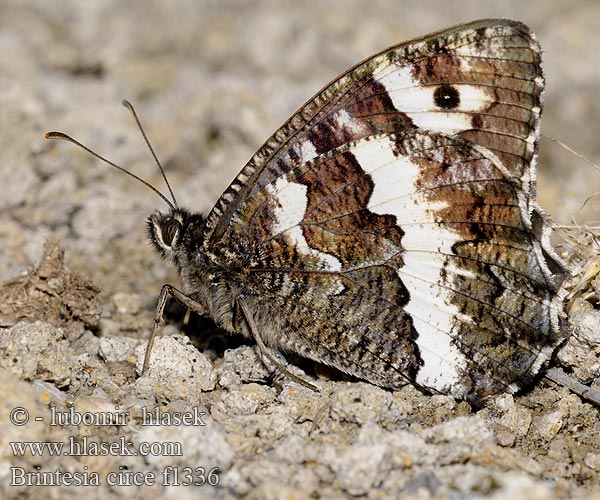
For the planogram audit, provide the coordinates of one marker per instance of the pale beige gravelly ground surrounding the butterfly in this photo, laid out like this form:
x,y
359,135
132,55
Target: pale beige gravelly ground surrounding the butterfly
x,y
211,80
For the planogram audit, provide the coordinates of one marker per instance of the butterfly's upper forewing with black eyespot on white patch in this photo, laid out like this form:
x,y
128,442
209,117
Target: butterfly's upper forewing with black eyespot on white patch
x,y
496,61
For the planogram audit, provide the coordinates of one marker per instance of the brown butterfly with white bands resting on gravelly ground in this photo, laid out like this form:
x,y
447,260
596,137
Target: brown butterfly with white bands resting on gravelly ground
x,y
389,228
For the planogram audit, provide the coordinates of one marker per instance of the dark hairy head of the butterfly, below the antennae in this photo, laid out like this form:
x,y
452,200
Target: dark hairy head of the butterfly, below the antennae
x,y
175,232
